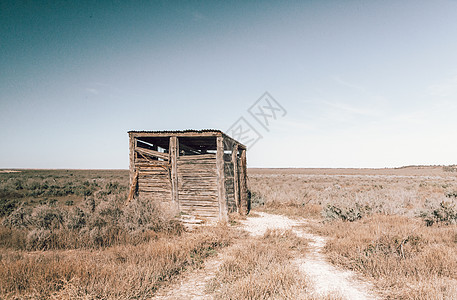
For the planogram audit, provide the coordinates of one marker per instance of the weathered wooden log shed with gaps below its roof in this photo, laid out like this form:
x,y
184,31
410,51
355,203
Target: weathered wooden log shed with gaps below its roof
x,y
202,172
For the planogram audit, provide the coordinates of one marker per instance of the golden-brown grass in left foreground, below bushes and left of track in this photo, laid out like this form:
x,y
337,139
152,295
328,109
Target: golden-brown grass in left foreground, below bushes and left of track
x,y
127,271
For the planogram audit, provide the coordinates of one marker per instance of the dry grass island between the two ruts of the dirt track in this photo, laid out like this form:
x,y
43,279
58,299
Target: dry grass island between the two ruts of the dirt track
x,y
261,269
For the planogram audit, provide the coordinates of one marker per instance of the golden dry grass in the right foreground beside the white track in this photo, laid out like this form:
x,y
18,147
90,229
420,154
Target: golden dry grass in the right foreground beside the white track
x,y
402,256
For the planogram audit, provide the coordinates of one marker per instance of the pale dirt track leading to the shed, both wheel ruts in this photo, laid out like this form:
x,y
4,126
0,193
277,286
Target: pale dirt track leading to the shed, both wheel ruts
x,y
327,280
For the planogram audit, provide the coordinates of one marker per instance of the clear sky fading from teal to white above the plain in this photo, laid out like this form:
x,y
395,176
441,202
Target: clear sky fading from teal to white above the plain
x,y
364,83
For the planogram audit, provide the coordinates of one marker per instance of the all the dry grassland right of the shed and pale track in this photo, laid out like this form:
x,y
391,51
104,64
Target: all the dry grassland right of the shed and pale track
x,y
388,241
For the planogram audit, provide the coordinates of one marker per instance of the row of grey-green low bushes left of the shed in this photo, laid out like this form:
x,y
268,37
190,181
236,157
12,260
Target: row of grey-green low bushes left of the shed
x,y
97,223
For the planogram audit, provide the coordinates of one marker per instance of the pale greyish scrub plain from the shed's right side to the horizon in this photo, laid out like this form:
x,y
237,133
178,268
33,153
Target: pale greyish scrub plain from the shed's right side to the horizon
x,y
304,194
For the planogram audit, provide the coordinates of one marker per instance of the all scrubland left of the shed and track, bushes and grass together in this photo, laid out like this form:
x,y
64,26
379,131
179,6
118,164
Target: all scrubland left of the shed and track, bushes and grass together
x,y
94,247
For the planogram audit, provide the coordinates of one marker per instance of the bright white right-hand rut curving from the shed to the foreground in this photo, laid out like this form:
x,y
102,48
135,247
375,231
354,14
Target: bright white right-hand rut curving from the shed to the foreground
x,y
327,279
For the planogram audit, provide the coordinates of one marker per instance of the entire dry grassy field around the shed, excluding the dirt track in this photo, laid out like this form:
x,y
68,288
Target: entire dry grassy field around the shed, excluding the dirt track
x,y
68,234
